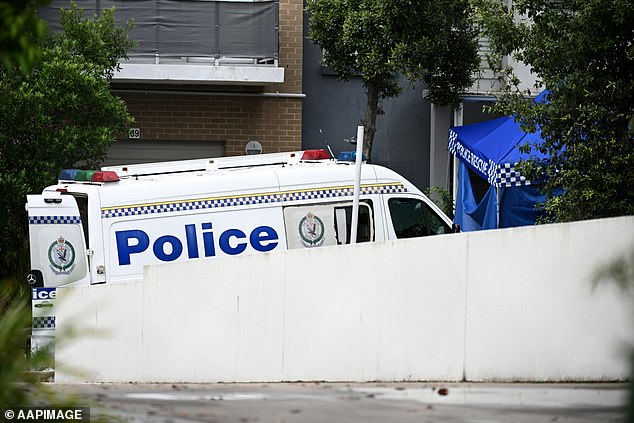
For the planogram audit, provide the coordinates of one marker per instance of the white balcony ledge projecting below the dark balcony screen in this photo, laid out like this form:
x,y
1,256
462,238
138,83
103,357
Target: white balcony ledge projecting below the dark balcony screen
x,y
192,73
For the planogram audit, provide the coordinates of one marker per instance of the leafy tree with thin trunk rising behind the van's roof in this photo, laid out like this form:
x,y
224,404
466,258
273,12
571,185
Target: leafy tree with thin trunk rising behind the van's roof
x,y
433,40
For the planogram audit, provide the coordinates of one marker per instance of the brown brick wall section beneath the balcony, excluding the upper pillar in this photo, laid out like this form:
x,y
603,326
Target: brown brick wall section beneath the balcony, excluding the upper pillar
x,y
234,119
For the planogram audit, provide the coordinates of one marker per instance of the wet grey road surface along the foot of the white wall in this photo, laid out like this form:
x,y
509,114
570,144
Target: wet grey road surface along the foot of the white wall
x,y
354,403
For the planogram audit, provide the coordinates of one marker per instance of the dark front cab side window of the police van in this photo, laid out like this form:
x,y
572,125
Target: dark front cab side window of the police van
x,y
412,218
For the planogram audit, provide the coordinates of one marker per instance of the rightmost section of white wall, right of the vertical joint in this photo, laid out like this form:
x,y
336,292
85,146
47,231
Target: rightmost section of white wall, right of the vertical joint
x,y
534,315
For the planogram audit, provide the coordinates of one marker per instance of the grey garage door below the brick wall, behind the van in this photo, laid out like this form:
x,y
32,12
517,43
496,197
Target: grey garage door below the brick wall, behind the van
x,y
149,151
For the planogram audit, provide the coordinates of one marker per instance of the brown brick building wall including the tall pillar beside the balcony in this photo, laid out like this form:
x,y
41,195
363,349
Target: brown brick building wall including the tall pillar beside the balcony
x,y
234,115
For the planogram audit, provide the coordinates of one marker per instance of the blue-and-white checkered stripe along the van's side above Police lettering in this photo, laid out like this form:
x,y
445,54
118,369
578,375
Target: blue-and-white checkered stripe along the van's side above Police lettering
x,y
246,200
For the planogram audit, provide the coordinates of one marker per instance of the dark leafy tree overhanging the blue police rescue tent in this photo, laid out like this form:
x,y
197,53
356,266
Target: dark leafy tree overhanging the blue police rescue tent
x,y
583,52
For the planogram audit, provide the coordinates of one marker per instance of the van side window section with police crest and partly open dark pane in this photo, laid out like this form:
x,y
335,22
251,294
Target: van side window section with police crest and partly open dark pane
x,y
317,225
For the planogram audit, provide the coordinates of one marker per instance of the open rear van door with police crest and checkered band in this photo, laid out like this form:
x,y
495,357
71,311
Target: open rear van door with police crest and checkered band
x,y
57,242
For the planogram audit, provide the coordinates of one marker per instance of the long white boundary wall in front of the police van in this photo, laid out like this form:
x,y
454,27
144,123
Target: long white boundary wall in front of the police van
x,y
504,305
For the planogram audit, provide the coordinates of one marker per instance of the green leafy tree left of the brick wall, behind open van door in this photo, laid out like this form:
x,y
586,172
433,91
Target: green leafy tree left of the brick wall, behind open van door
x,y
55,116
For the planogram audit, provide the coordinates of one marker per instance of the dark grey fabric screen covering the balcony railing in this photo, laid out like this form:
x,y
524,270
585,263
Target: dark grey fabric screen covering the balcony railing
x,y
186,28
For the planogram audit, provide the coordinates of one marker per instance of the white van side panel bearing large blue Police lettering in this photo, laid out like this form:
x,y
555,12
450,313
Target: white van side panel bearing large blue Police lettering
x,y
144,240
